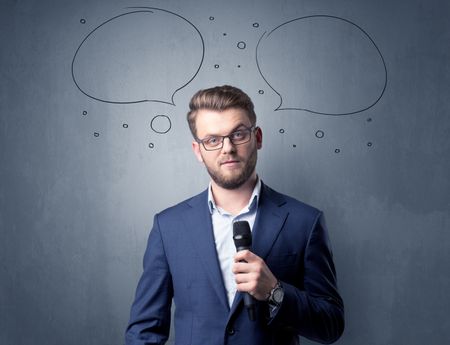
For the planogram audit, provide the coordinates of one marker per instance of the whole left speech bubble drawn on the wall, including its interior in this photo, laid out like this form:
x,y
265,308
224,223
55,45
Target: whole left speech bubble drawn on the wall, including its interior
x,y
133,57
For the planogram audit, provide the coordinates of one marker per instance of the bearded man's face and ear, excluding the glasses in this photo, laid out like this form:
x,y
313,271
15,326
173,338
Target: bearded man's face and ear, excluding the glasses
x,y
232,165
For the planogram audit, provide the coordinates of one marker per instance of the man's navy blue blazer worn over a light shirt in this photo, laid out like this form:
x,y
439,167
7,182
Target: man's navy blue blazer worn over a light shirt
x,y
181,264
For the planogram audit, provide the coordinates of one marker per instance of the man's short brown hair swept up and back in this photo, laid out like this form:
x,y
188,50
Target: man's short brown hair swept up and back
x,y
219,98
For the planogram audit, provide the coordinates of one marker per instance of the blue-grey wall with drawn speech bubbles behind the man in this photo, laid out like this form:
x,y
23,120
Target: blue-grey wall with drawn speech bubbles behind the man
x,y
353,100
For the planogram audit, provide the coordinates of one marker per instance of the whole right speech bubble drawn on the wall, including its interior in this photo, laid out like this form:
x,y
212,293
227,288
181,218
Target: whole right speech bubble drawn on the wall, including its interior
x,y
336,66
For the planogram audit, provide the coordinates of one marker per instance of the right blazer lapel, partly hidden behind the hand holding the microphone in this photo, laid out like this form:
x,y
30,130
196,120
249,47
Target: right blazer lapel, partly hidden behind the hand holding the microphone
x,y
268,224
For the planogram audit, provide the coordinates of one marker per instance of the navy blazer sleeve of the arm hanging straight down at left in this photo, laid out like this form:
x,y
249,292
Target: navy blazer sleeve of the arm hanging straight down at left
x,y
151,310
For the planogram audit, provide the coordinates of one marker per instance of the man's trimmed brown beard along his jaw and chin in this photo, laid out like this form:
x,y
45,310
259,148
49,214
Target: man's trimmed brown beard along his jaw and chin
x,y
236,180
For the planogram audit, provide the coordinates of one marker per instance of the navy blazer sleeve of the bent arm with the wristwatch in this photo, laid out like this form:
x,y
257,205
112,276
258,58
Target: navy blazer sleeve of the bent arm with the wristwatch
x,y
315,311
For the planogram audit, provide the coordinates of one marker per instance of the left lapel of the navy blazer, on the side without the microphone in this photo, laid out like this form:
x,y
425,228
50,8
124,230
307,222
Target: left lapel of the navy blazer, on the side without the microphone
x,y
198,222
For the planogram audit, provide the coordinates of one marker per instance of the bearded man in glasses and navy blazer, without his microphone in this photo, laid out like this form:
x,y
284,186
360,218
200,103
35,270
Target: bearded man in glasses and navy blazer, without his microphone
x,y
191,258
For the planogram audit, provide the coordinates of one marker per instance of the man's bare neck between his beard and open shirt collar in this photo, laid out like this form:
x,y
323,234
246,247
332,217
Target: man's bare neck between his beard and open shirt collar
x,y
234,200
